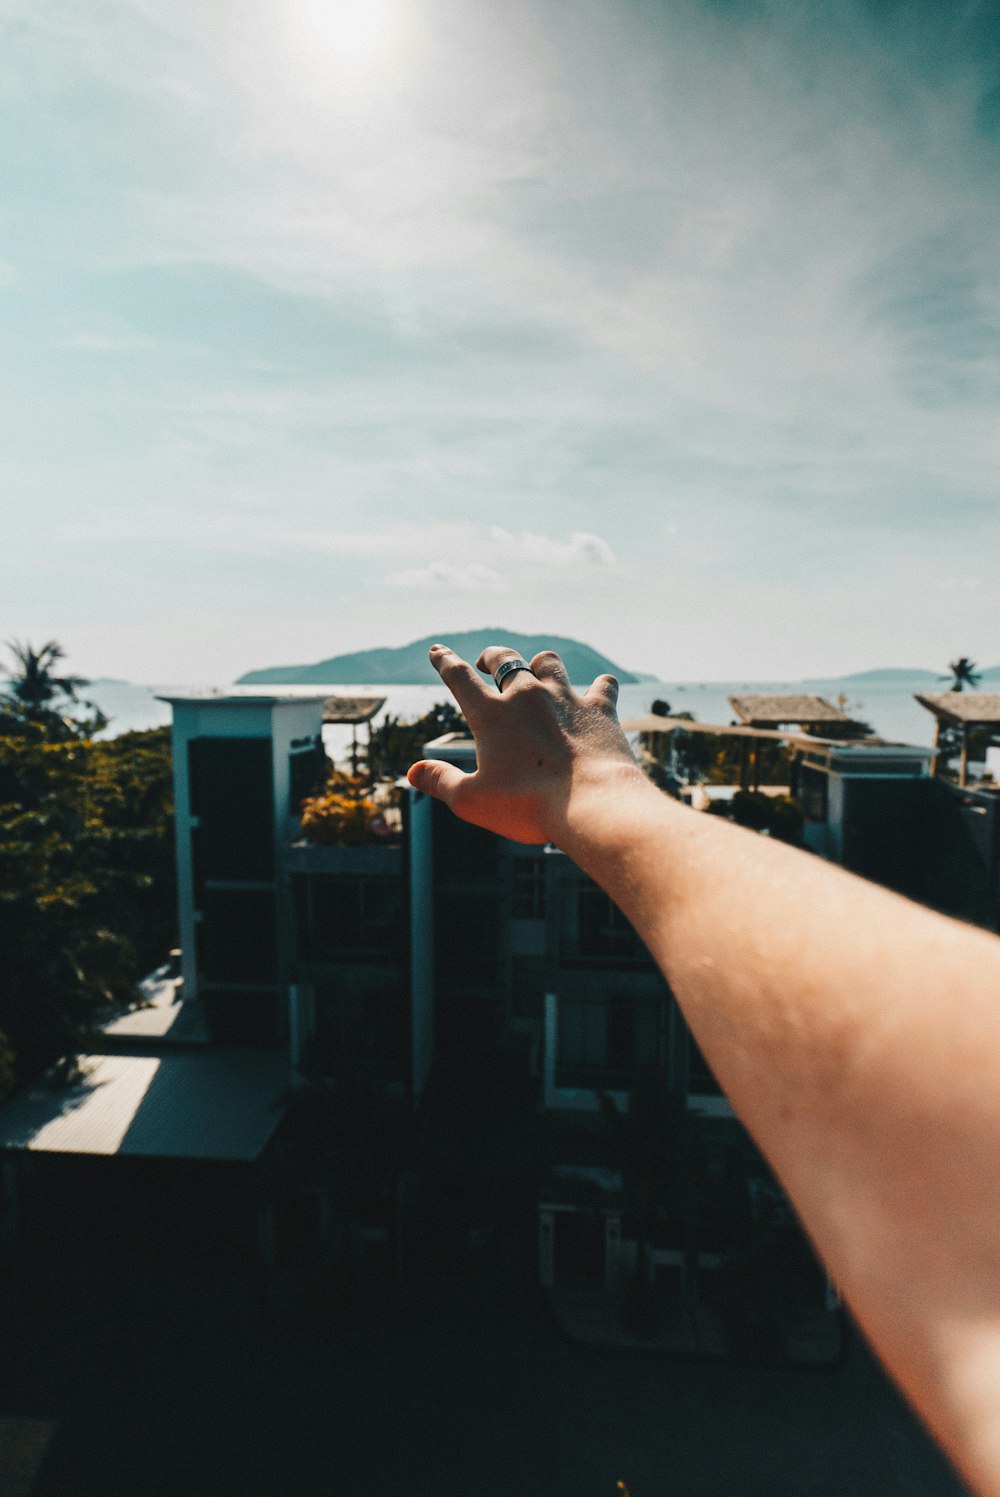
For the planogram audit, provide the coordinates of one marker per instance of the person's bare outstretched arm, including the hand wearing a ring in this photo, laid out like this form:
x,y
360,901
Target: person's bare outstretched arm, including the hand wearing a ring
x,y
857,1035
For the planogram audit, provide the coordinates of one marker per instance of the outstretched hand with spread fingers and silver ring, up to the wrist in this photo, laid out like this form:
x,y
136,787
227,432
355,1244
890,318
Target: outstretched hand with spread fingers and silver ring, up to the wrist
x,y
540,746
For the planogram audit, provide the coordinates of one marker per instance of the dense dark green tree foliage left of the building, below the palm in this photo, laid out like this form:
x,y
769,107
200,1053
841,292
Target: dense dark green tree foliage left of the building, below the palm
x,y
86,882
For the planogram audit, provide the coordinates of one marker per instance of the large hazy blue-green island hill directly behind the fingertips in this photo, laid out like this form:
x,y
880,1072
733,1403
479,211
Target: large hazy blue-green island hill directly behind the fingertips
x,y
409,665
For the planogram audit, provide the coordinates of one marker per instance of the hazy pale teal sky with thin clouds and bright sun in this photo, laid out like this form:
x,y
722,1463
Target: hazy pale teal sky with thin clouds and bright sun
x,y
668,326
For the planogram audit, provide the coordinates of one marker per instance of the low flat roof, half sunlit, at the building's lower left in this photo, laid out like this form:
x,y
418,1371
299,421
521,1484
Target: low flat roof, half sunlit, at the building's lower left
x,y
201,1104
